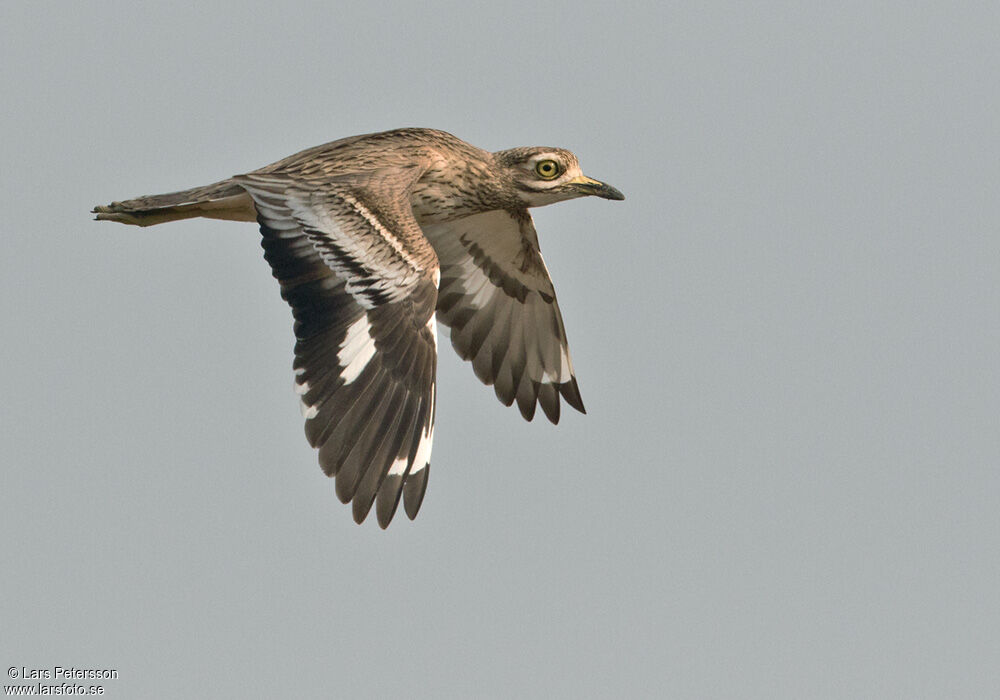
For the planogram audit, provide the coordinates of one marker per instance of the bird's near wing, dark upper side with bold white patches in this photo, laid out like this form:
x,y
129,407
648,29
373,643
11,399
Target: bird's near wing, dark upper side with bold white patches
x,y
362,283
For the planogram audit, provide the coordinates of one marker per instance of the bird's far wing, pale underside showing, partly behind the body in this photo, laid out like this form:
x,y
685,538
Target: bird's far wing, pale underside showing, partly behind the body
x,y
498,299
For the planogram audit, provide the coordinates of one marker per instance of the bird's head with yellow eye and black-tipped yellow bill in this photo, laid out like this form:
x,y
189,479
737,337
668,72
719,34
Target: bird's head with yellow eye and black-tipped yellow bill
x,y
545,175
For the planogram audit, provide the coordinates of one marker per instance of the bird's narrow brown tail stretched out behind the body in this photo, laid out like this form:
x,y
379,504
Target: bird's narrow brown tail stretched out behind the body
x,y
222,200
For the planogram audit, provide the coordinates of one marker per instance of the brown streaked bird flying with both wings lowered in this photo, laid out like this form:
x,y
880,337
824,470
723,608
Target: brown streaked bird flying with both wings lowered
x,y
375,238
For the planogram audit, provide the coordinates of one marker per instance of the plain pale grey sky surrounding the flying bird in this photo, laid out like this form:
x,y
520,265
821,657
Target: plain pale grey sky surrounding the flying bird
x,y
787,338
